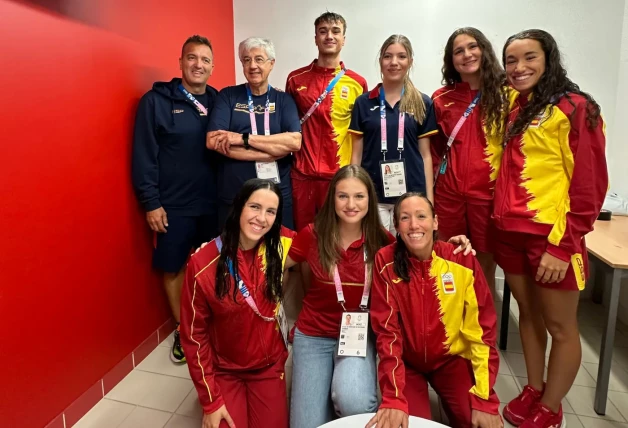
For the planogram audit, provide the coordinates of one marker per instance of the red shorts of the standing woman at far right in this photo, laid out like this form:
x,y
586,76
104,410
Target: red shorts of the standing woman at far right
x,y
520,254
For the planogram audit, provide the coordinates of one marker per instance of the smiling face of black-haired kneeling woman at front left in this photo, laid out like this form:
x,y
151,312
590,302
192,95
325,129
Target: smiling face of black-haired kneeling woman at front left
x,y
258,216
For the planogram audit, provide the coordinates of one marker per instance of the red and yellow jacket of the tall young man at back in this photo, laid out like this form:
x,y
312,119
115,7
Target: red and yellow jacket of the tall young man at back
x,y
327,145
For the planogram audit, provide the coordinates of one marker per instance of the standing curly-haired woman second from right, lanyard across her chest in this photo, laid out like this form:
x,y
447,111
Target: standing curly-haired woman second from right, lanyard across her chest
x,y
467,151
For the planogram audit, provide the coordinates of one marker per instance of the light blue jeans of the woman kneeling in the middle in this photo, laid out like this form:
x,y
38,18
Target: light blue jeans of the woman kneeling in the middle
x,y
325,385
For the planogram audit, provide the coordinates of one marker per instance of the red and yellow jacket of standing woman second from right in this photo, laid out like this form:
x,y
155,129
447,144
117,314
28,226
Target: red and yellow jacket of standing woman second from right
x,y
475,156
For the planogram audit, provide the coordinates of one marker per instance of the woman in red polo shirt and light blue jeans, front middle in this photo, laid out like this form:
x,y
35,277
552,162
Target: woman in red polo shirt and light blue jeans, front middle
x,y
345,236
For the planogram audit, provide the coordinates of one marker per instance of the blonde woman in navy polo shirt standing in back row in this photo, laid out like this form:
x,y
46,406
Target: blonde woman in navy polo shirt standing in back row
x,y
391,126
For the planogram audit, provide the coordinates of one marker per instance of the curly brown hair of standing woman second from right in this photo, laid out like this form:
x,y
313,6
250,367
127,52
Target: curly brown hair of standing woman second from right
x,y
494,101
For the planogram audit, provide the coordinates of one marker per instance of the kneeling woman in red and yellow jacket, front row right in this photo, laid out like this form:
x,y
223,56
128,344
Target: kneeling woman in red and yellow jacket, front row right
x,y
435,322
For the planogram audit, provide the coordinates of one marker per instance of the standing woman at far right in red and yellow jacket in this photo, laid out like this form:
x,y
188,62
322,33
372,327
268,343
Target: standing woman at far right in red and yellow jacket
x,y
550,189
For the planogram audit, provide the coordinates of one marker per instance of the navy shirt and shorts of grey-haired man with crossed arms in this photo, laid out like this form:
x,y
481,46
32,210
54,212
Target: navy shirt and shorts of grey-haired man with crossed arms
x,y
231,113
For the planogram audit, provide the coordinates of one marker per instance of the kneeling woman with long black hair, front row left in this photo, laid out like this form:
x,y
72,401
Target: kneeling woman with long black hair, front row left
x,y
230,311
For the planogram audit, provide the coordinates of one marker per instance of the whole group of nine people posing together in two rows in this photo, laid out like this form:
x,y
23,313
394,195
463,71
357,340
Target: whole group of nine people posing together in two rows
x,y
383,188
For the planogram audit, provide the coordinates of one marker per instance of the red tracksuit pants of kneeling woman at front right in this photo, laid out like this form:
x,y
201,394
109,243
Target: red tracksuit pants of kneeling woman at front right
x,y
451,381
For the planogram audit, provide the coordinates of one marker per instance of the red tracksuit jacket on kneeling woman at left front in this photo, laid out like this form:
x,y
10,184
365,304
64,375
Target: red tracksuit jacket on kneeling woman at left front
x,y
223,335
